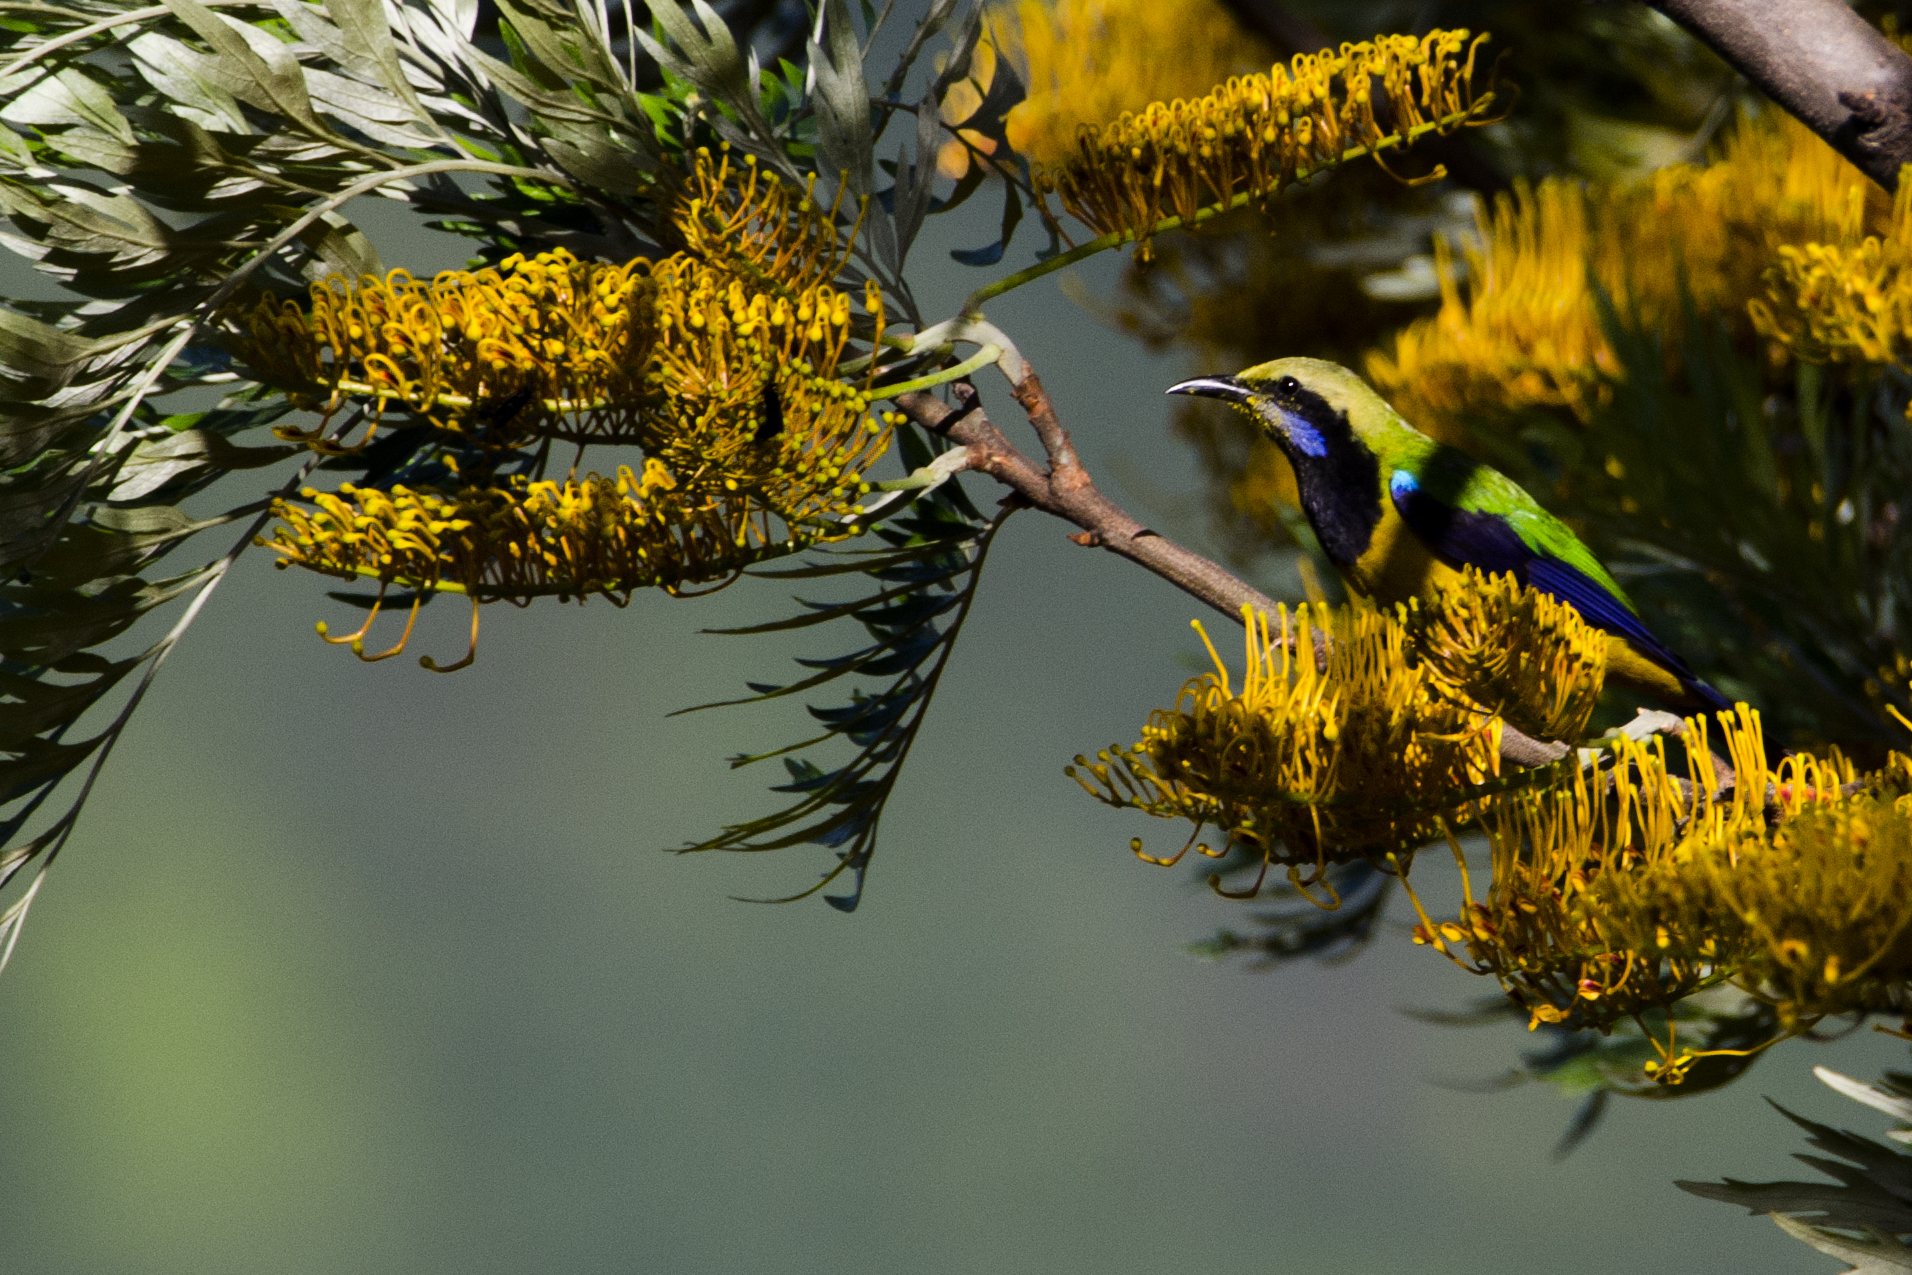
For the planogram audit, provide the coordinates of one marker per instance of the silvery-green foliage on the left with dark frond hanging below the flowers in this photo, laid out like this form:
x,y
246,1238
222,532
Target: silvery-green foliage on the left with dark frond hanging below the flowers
x,y
158,160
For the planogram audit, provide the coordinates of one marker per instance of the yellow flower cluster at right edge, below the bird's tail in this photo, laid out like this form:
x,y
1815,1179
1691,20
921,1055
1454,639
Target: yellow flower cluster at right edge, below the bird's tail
x,y
1632,888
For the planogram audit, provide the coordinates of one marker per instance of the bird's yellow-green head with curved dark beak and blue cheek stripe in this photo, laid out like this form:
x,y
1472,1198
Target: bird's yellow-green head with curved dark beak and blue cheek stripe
x,y
1305,406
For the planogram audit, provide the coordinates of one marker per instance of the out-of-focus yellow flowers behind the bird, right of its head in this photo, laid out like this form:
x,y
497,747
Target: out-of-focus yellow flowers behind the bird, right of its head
x,y
1527,332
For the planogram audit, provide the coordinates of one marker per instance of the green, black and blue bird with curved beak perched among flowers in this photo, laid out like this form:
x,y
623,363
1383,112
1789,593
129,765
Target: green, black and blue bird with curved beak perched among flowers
x,y
1401,515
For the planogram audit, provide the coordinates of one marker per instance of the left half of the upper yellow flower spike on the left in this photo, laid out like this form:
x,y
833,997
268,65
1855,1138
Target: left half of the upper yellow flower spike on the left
x,y
567,339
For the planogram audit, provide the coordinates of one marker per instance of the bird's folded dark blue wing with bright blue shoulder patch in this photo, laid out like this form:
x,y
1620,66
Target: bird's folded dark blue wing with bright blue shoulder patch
x,y
1490,544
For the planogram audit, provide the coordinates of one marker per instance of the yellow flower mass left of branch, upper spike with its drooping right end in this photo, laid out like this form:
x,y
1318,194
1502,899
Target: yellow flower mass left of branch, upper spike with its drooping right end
x,y
684,370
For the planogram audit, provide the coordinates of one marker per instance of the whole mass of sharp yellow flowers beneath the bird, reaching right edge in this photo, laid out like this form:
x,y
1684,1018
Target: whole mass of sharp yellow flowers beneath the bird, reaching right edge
x,y
1624,880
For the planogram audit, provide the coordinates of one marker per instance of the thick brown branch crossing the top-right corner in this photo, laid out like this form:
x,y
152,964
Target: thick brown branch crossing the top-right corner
x,y
1823,64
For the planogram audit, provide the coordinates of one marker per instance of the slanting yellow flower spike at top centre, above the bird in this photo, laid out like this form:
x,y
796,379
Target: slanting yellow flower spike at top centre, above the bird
x,y
1255,135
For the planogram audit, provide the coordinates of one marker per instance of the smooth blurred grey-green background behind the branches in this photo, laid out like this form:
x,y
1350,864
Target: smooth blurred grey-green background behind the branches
x,y
357,968
